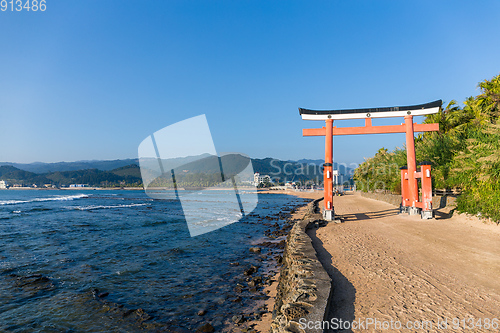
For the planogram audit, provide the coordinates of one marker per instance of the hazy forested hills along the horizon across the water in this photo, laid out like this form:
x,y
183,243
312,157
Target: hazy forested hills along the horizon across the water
x,y
127,172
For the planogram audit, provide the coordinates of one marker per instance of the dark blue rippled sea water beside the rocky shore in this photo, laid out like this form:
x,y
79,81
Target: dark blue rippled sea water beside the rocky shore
x,y
119,261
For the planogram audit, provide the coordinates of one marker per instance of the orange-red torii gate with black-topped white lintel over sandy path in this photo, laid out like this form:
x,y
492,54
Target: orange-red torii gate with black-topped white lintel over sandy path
x,y
409,177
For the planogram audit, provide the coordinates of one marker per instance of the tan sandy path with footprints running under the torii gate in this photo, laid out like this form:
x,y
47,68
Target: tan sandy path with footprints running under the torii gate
x,y
397,267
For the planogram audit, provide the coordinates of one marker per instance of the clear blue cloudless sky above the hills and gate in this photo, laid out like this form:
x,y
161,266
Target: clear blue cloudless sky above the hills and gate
x,y
91,79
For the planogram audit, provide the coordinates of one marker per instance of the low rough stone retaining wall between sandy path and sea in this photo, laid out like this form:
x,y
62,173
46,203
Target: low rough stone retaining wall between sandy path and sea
x,y
304,286
